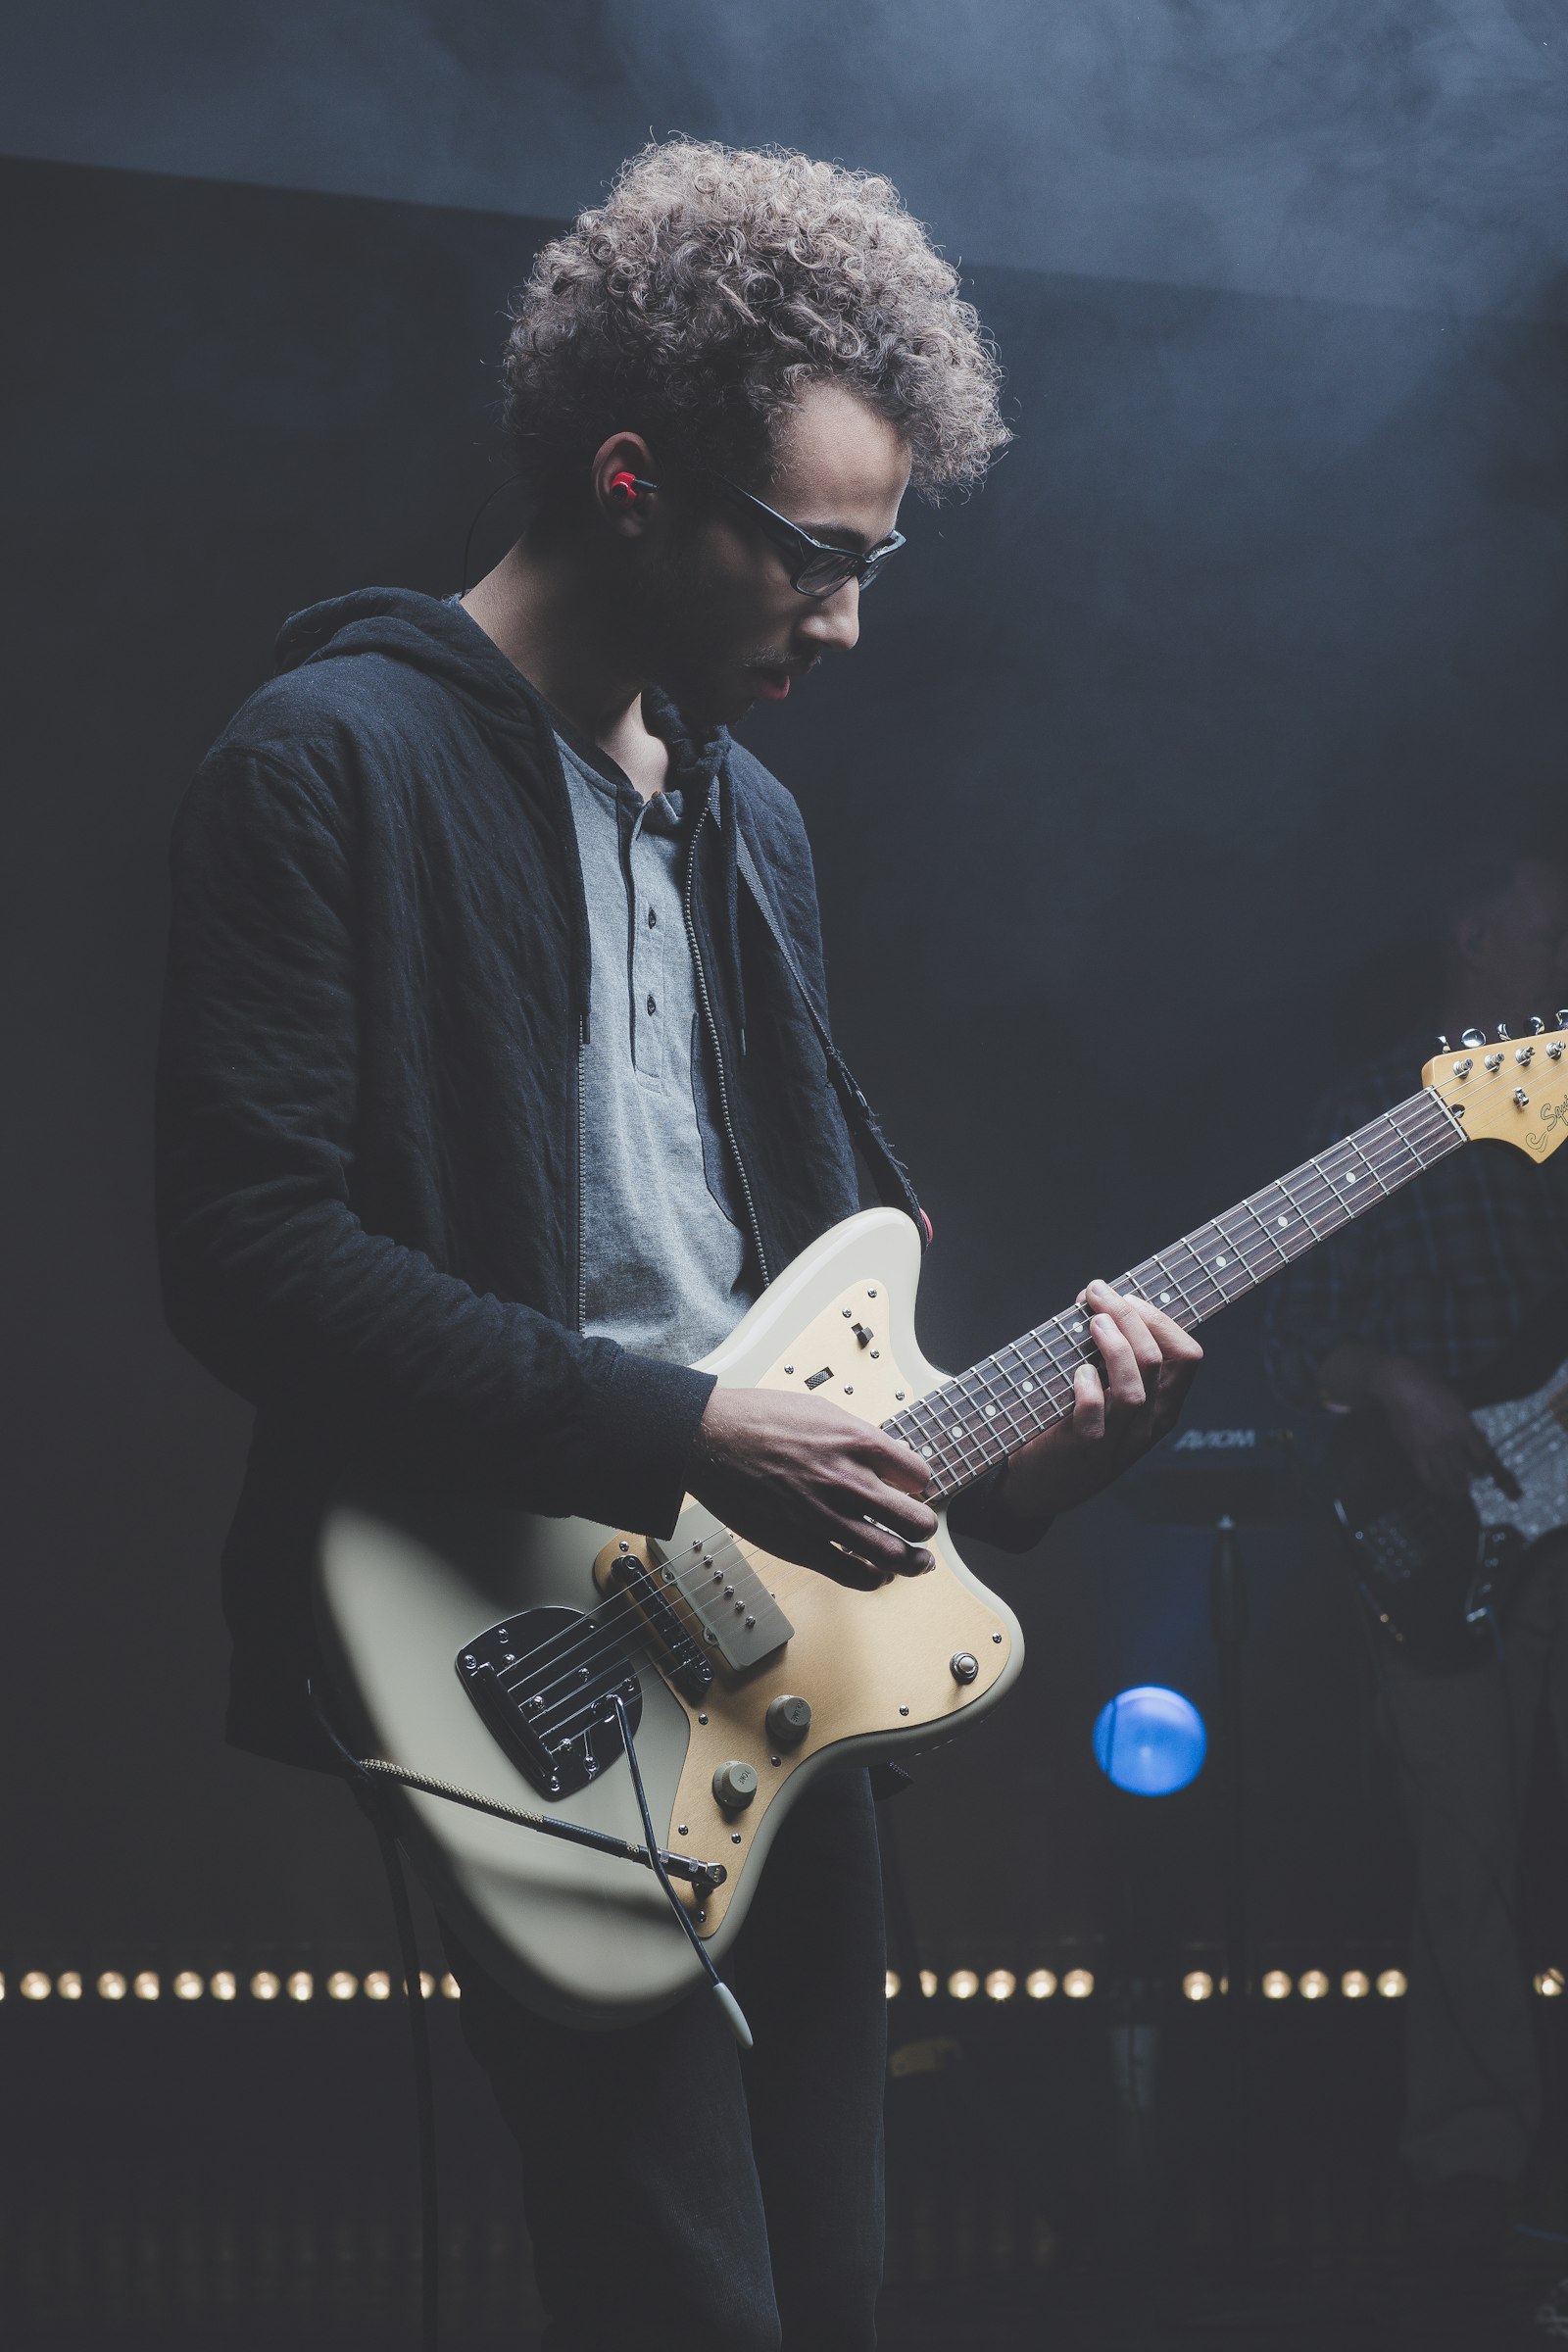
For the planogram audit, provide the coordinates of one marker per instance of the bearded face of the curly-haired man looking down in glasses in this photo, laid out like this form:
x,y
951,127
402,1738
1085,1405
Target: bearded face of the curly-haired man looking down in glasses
x,y
716,617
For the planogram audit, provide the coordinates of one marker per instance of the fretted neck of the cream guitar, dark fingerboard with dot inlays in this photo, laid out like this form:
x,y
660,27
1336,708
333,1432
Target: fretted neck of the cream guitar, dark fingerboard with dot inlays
x,y
974,1422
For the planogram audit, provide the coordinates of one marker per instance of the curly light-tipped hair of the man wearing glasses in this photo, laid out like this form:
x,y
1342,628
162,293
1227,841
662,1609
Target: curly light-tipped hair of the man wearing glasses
x,y
711,288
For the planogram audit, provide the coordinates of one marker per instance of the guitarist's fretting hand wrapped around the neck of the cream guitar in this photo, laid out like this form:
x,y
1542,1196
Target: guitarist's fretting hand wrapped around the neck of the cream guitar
x,y
1148,1372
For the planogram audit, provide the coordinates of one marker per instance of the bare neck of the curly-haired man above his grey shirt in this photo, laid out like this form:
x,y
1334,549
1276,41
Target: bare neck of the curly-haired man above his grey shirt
x,y
558,627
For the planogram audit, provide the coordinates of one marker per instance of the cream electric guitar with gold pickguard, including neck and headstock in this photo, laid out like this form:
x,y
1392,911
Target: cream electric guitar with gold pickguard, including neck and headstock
x,y
504,1659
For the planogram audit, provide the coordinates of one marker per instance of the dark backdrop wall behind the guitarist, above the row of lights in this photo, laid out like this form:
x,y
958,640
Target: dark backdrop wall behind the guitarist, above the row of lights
x,y
1123,815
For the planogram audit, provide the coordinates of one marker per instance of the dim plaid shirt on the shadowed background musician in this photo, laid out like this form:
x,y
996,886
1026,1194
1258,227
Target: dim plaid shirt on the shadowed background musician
x,y
1445,1271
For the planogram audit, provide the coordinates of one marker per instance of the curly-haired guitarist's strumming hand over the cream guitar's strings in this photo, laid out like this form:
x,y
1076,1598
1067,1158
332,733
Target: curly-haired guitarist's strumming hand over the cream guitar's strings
x,y
803,1481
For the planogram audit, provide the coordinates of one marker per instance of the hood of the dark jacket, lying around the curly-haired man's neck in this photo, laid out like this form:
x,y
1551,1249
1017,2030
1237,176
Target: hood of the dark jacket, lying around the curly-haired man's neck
x,y
436,636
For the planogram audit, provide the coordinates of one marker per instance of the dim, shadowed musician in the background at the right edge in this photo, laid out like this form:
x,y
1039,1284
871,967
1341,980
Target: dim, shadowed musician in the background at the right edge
x,y
1391,1318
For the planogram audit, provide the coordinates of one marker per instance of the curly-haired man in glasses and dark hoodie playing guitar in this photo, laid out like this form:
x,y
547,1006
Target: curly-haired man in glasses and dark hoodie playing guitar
x,y
490,1104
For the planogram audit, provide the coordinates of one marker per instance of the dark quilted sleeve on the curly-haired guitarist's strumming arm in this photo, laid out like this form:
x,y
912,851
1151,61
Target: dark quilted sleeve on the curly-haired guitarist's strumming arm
x,y
272,1278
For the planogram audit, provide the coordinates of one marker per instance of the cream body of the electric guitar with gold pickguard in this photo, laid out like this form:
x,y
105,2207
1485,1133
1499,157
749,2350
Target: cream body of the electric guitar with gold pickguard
x,y
410,1584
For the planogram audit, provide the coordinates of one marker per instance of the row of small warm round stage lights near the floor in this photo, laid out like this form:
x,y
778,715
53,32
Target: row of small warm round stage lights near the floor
x,y
963,1986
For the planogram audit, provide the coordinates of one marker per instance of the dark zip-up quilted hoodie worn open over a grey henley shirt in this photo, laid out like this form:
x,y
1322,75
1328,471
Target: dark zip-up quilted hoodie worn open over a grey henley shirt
x,y
368,1114
